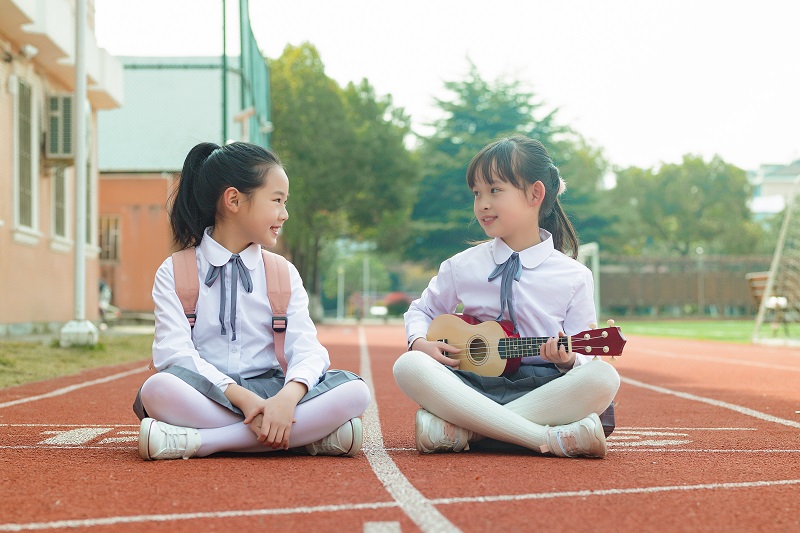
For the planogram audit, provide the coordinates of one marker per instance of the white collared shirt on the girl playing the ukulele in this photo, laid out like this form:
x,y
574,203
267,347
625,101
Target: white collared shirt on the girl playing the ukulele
x,y
555,292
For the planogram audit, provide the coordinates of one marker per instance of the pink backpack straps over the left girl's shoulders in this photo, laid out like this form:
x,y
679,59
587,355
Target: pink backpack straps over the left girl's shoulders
x,y
279,291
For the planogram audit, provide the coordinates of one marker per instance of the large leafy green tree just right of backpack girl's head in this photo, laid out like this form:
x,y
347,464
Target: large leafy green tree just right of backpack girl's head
x,y
349,171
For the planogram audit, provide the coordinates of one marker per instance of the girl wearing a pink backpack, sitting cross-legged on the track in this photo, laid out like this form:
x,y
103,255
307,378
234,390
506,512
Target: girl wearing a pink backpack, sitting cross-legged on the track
x,y
223,382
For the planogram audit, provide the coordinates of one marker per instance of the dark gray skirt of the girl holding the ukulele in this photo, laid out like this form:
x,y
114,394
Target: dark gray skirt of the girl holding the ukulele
x,y
504,389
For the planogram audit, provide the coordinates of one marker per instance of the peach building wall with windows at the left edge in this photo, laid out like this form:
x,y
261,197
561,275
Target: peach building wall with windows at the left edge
x,y
36,265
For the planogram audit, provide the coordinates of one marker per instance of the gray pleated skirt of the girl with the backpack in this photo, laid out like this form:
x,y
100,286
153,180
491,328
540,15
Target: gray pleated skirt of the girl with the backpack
x,y
265,385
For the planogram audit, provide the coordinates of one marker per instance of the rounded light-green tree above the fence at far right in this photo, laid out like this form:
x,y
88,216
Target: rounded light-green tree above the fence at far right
x,y
679,207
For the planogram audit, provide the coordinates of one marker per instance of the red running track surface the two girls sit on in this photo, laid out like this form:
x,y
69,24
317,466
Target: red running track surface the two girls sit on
x,y
708,438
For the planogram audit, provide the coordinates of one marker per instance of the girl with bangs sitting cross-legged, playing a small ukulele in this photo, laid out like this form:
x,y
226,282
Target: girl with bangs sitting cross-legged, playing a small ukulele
x,y
552,402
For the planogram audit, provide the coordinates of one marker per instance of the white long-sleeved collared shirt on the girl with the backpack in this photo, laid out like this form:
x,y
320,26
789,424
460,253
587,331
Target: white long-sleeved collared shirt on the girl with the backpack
x,y
204,350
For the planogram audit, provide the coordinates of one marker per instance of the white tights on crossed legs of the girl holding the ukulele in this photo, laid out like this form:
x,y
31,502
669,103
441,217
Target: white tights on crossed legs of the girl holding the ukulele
x,y
587,389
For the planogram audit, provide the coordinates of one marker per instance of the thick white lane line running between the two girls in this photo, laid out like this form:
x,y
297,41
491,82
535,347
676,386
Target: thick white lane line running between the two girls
x,y
418,508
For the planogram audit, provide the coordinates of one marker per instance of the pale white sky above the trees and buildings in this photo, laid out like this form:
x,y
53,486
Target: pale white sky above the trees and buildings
x,y
646,80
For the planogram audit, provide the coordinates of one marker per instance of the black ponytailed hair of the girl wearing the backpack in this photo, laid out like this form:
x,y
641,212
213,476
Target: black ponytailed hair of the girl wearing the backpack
x,y
208,170
